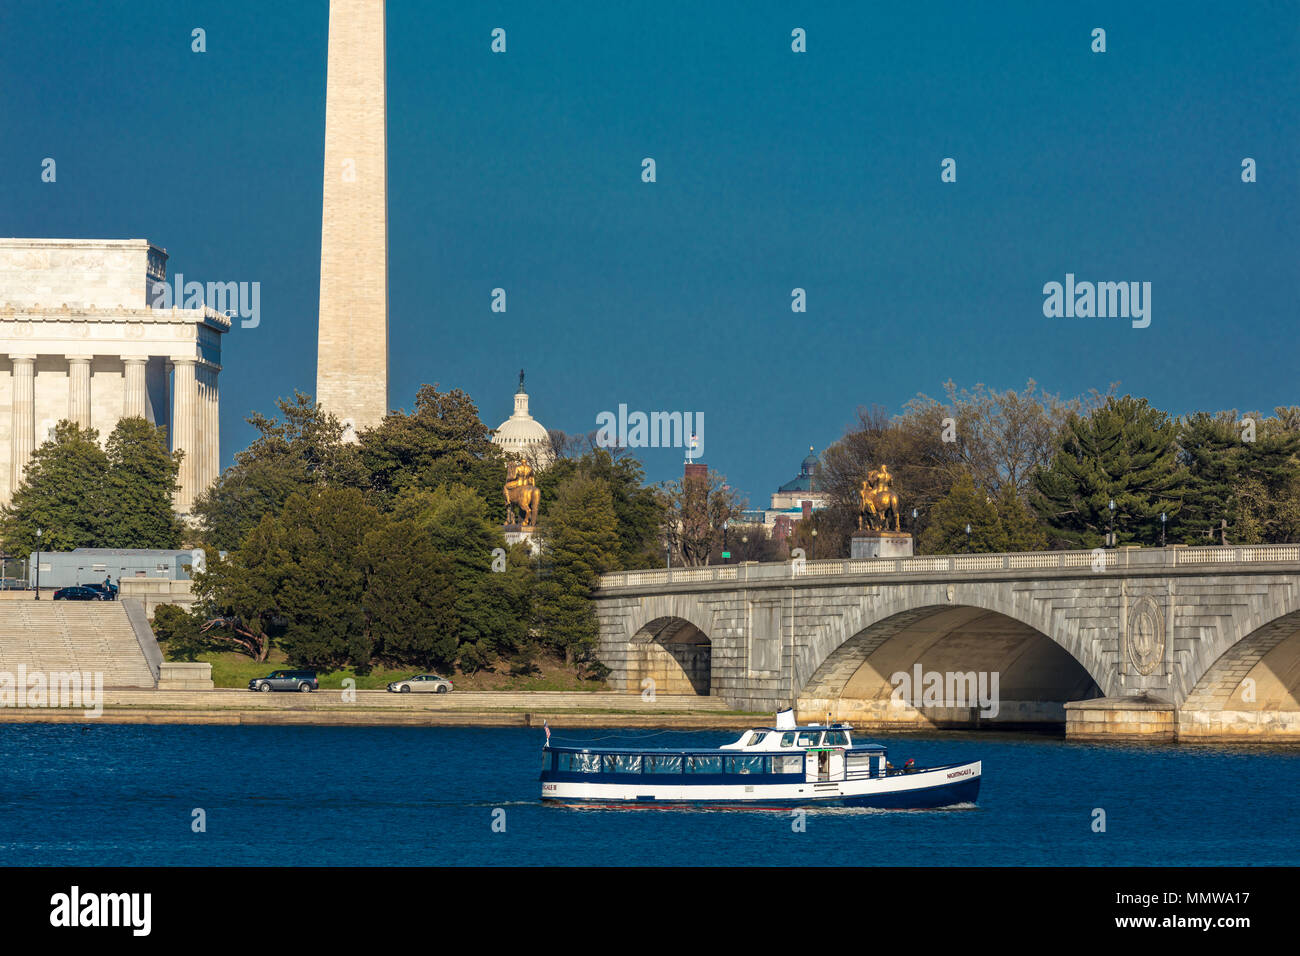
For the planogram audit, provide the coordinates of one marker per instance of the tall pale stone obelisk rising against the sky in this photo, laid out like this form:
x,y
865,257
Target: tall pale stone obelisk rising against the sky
x,y
353,352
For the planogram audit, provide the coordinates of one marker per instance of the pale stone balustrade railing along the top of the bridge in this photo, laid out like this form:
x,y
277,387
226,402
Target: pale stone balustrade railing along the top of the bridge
x,y
1099,560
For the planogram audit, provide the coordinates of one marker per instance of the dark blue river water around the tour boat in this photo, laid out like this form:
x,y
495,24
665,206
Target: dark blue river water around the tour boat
x,y
124,795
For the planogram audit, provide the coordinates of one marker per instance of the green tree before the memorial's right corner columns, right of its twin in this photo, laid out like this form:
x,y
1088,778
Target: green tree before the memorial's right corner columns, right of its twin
x,y
142,478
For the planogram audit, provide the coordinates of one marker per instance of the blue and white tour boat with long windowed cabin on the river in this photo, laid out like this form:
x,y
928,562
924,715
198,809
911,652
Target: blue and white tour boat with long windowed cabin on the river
x,y
769,768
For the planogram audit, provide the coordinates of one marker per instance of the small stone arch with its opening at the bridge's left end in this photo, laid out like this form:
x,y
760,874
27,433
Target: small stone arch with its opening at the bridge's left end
x,y
669,644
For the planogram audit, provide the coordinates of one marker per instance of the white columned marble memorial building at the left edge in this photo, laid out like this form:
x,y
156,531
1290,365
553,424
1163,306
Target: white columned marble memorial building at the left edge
x,y
81,340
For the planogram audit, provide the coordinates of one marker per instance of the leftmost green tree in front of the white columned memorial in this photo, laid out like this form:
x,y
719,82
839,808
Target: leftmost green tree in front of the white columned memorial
x,y
62,494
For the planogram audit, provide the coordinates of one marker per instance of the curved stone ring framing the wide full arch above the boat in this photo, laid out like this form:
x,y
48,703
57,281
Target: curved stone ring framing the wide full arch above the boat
x,y
869,625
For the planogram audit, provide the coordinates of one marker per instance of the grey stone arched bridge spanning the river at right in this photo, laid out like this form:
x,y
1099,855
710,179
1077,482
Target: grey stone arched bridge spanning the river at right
x,y
1189,643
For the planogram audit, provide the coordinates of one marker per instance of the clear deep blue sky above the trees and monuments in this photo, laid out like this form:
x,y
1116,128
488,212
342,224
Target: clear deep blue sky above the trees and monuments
x,y
775,171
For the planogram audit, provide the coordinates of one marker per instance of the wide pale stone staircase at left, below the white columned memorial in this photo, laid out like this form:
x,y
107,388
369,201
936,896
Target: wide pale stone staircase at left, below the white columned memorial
x,y
90,637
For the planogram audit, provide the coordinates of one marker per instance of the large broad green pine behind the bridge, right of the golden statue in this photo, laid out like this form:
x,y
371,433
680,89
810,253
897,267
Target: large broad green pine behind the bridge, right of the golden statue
x,y
1124,452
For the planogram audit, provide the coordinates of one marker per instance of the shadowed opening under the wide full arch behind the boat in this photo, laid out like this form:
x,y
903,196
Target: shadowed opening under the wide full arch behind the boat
x,y
948,667
